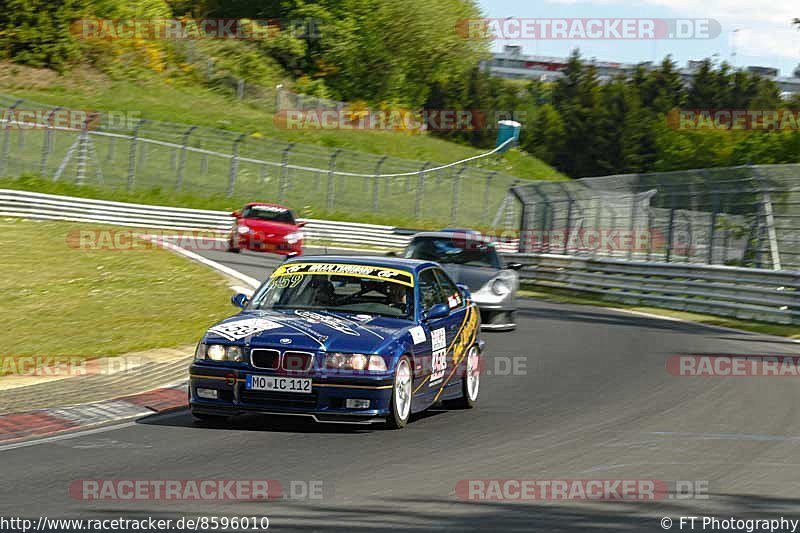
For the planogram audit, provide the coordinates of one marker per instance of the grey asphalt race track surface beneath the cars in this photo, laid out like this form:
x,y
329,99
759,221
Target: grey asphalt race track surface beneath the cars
x,y
591,398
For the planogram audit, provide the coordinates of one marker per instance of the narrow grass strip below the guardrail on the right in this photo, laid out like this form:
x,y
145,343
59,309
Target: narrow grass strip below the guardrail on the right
x,y
574,297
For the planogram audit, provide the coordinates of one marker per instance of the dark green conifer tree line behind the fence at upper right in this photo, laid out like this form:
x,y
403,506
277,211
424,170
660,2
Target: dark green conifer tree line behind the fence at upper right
x,y
586,127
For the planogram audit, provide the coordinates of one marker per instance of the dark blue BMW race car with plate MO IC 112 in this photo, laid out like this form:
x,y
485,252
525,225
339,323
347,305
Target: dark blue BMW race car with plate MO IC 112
x,y
342,339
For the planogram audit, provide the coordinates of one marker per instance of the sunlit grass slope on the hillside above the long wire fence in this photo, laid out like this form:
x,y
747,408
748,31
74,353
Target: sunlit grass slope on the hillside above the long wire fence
x,y
177,101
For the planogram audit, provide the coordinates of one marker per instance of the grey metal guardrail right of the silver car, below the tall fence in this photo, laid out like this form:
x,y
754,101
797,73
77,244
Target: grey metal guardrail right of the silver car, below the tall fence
x,y
744,293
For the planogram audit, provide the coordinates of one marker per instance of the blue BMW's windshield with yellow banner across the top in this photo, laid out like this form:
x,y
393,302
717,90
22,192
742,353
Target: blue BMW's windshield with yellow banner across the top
x,y
355,289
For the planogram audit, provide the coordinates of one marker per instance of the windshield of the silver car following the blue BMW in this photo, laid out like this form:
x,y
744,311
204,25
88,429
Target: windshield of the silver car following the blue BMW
x,y
459,250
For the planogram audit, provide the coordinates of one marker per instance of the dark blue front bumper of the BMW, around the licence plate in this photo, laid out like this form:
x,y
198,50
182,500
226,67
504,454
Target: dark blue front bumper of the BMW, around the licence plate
x,y
325,403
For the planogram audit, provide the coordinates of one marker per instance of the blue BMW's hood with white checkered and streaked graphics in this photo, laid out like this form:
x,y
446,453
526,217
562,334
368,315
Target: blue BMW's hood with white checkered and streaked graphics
x,y
309,330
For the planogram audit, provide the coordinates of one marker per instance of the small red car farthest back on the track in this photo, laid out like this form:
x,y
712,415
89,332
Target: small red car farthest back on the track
x,y
263,227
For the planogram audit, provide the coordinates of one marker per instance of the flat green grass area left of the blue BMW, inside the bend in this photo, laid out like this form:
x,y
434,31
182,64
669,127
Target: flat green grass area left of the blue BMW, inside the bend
x,y
60,300
